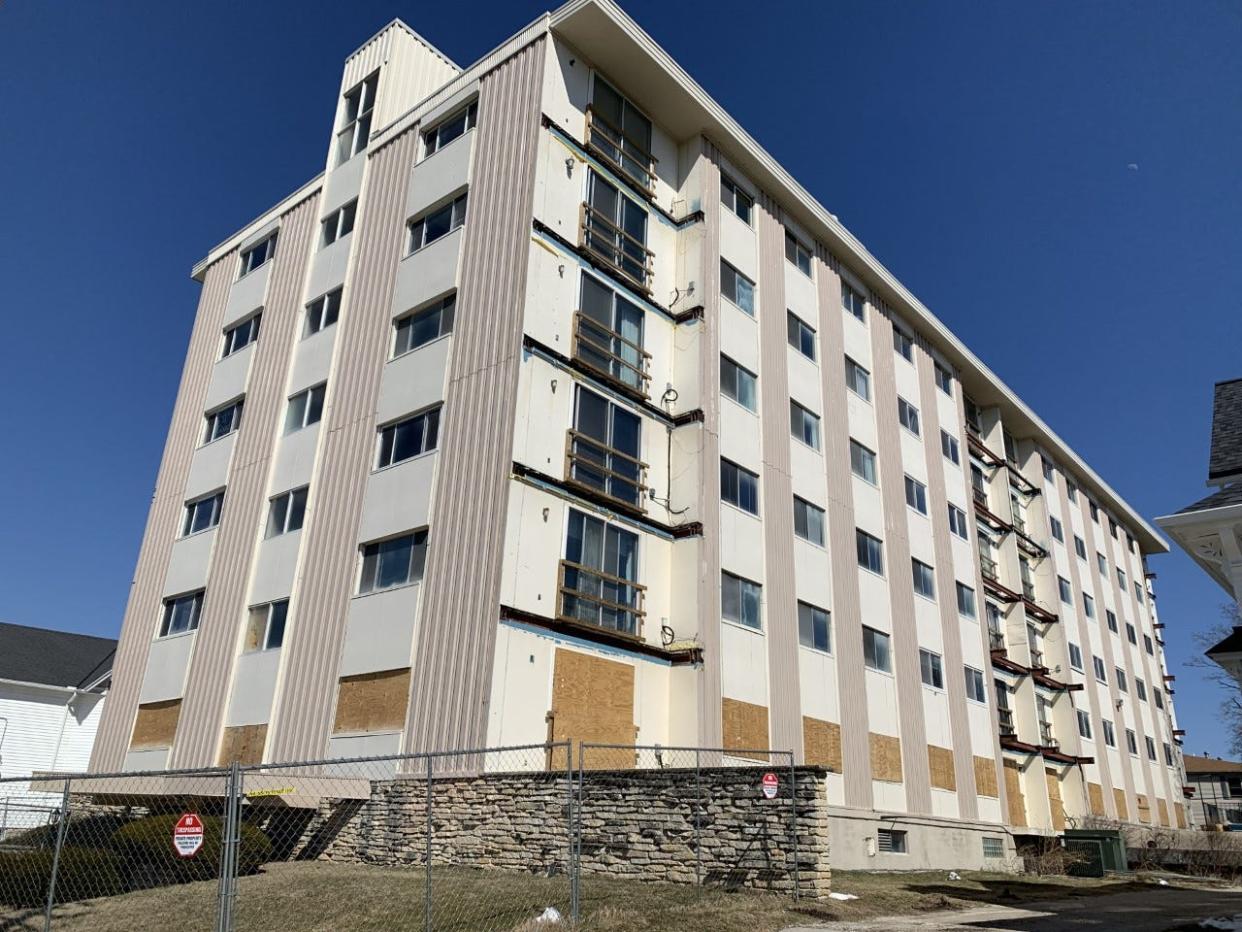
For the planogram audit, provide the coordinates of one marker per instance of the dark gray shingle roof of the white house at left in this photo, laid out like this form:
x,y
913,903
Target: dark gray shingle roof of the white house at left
x,y
53,658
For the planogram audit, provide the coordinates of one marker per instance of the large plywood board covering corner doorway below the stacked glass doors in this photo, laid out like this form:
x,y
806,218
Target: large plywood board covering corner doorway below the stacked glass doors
x,y
593,701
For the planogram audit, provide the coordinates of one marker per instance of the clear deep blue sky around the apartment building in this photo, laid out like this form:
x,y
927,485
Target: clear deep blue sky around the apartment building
x,y
981,150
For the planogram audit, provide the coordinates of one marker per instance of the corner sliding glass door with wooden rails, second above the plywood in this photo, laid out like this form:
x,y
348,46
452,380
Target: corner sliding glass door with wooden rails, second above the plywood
x,y
605,447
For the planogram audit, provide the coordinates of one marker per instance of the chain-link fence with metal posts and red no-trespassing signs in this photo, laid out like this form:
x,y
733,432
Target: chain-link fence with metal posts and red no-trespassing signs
x,y
487,839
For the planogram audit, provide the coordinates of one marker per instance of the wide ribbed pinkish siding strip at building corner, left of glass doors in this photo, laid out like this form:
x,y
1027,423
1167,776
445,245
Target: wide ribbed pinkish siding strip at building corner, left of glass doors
x,y
453,675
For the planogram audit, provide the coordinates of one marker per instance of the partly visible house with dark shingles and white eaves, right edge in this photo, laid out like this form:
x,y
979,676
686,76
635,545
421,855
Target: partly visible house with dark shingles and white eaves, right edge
x,y
1212,529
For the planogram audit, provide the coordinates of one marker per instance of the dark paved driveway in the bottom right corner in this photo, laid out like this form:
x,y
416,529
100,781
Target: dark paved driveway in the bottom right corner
x,y
1157,910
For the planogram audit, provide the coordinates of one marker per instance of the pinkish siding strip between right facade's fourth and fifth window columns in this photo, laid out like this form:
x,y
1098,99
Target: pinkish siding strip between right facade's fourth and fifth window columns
x,y
938,506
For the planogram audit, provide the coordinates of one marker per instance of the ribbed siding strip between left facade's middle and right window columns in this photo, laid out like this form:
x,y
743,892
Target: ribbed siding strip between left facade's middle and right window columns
x,y
307,693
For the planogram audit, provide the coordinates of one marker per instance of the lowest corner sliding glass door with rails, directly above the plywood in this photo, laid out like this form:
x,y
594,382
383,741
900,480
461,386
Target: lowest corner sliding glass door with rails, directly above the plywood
x,y
599,576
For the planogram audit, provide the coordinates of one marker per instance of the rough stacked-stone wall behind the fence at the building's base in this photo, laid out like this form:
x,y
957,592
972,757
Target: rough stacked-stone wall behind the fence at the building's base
x,y
669,826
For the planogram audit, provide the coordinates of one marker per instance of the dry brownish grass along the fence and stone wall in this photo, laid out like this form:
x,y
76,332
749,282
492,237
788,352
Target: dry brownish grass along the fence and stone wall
x,y
331,898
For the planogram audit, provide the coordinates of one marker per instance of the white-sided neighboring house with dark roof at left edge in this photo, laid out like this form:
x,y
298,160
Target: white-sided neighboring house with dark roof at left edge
x,y
53,687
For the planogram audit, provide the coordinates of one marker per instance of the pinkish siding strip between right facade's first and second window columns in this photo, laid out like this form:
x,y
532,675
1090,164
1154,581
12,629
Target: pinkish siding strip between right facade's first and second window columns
x,y
781,624
